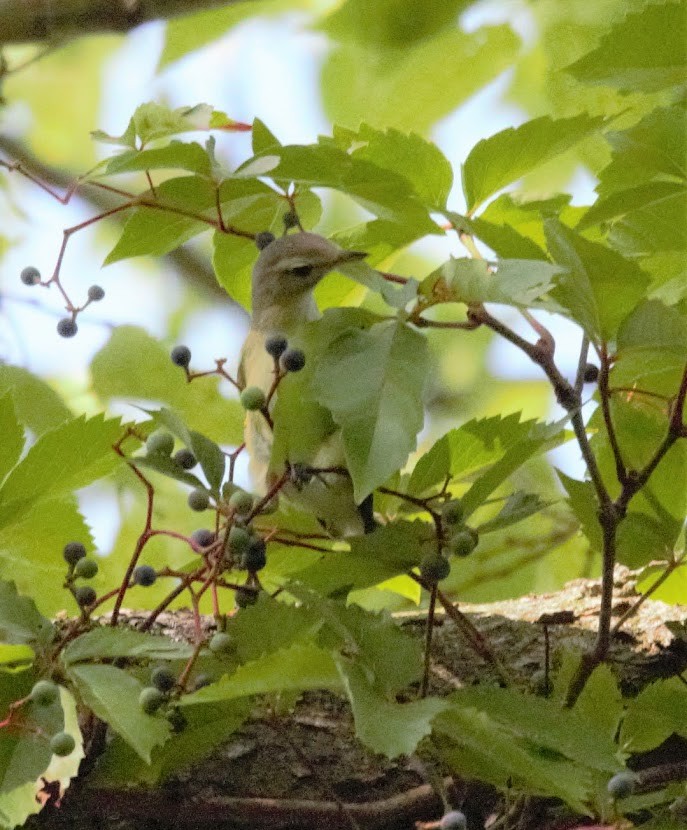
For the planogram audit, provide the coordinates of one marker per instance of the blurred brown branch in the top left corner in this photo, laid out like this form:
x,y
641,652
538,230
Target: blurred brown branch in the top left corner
x,y
23,21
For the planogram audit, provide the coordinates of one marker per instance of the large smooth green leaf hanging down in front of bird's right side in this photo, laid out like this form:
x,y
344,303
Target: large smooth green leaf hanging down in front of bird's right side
x,y
389,362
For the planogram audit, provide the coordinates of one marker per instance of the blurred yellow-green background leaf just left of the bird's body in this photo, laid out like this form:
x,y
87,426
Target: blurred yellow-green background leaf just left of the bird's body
x,y
134,365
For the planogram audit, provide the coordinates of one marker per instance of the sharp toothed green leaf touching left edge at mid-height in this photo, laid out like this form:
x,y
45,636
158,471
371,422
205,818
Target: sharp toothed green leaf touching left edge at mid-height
x,y
64,459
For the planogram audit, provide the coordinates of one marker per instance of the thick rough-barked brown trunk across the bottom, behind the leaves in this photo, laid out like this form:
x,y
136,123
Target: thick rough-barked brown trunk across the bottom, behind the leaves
x,y
307,771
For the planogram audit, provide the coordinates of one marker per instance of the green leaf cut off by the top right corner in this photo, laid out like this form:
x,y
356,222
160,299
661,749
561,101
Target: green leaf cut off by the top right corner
x,y
645,51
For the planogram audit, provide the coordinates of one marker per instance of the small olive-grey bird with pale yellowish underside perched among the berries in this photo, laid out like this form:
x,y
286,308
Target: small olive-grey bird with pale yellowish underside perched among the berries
x,y
283,278
